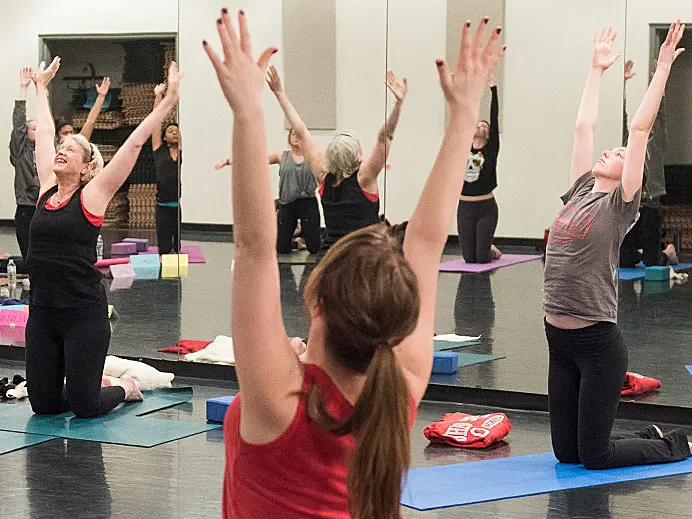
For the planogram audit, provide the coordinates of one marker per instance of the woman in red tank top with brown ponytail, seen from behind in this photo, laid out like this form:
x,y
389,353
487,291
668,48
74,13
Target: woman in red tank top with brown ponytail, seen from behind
x,y
330,437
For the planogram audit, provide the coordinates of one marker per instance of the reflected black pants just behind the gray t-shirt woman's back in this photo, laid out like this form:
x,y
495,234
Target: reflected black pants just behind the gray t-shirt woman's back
x,y
645,235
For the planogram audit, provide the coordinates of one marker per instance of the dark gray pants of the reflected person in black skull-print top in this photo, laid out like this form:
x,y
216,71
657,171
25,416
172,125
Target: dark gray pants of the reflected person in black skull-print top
x,y
476,224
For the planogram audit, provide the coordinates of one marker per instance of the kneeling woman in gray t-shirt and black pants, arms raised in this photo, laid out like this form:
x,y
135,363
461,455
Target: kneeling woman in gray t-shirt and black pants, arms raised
x,y
588,357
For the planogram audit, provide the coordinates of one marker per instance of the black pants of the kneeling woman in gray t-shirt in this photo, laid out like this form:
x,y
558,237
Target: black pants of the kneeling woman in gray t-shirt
x,y
586,374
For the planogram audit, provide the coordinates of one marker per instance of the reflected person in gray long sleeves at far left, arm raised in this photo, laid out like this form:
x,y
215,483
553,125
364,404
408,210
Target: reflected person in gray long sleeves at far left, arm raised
x,y
22,146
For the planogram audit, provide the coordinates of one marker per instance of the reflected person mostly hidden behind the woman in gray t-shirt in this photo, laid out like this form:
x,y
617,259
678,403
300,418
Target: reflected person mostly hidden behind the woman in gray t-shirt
x,y
643,241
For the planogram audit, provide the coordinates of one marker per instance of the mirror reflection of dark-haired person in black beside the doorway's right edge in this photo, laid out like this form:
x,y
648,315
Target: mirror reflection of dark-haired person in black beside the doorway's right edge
x,y
168,155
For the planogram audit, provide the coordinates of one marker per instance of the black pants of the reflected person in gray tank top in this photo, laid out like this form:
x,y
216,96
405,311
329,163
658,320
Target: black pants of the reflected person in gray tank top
x,y
305,209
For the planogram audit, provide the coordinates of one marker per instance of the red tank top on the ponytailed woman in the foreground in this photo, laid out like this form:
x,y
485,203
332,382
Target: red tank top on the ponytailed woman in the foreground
x,y
300,474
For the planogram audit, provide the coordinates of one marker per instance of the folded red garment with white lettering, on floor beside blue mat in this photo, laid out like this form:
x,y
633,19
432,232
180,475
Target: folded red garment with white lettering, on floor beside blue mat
x,y
465,430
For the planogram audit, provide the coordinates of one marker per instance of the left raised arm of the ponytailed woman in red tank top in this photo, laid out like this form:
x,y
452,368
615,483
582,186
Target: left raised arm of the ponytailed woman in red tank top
x,y
268,369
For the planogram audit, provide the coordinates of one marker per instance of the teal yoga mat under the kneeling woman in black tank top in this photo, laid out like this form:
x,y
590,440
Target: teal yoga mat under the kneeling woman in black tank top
x,y
123,426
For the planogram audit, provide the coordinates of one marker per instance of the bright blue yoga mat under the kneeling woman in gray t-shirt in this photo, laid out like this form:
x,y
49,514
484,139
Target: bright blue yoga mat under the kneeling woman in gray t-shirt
x,y
480,481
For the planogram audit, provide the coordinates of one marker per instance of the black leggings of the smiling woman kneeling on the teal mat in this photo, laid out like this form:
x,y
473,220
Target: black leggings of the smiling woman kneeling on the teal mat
x,y
69,343
